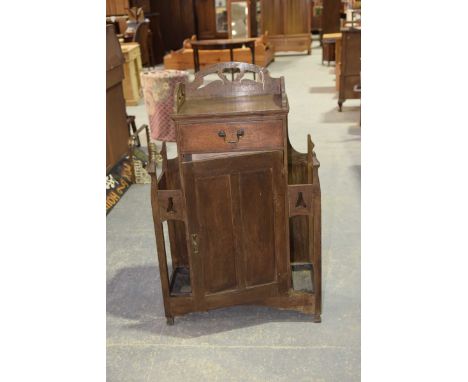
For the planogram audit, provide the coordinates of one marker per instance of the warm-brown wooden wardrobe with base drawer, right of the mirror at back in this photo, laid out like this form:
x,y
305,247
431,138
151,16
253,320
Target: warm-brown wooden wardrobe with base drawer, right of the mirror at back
x,y
288,24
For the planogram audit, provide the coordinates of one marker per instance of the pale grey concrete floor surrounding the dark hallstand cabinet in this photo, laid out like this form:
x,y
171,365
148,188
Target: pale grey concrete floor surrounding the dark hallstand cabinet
x,y
248,343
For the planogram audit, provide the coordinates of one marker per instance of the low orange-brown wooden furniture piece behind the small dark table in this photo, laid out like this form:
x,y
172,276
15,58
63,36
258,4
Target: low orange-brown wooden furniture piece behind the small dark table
x,y
182,59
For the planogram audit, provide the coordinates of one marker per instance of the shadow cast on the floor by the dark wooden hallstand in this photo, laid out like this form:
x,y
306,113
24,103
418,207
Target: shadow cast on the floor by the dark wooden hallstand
x,y
135,293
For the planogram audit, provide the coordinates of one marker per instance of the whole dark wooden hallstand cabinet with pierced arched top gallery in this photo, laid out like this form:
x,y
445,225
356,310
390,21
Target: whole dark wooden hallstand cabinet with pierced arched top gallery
x,y
241,207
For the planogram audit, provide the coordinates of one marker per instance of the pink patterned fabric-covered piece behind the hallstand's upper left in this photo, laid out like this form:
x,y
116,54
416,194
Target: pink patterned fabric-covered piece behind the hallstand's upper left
x,y
158,91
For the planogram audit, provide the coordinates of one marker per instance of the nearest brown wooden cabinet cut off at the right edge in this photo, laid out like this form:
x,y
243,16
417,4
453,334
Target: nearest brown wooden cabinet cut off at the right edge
x,y
349,66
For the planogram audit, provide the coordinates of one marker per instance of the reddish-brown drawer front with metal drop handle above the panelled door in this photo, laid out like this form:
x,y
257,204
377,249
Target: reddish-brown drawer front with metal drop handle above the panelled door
x,y
222,137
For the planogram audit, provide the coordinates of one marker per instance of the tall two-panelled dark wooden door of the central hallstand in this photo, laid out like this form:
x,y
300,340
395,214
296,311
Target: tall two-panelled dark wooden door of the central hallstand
x,y
236,212
